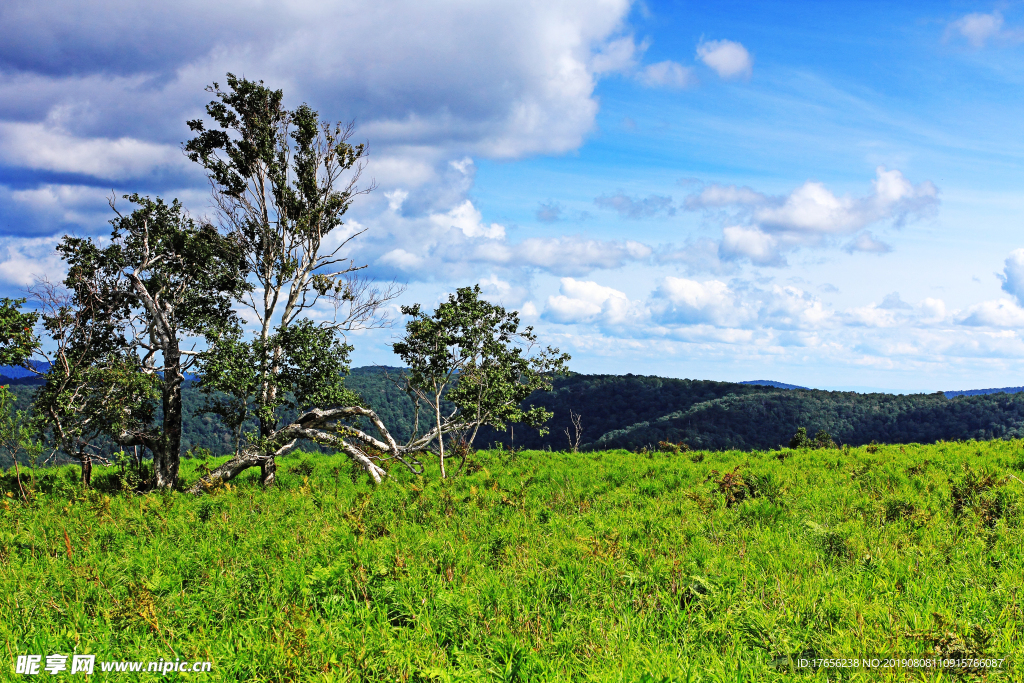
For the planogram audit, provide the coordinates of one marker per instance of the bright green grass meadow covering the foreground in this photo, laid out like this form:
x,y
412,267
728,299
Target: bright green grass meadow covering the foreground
x,y
546,567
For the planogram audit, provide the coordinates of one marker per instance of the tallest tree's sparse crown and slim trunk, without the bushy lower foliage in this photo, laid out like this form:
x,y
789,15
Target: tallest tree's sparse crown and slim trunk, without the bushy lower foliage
x,y
282,182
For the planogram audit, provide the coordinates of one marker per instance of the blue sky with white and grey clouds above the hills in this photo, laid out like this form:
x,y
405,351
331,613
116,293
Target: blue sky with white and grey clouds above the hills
x,y
827,195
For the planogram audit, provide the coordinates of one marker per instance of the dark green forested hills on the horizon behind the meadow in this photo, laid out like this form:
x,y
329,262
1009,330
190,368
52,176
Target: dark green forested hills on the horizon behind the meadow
x,y
633,411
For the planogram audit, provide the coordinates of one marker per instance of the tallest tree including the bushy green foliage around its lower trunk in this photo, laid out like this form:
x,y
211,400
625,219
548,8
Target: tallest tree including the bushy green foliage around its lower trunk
x,y
277,177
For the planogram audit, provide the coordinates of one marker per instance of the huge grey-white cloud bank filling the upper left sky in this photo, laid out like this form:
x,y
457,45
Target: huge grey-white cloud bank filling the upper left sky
x,y
99,97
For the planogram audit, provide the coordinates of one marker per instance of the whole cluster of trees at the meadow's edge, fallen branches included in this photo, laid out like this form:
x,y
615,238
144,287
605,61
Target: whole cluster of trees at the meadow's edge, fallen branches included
x,y
238,302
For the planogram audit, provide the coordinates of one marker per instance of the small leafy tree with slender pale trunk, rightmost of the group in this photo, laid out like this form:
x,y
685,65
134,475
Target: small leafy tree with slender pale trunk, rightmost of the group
x,y
473,354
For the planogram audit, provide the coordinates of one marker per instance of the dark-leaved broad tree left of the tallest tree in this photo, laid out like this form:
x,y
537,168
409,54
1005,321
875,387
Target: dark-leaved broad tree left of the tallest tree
x,y
123,329
